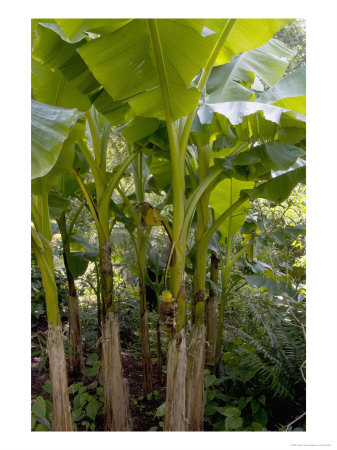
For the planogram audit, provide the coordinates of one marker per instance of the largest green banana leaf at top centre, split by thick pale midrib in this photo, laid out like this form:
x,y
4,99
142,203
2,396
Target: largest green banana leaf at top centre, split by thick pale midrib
x,y
124,63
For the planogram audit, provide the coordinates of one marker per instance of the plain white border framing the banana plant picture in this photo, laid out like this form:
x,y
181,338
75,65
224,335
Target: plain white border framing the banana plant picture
x,y
15,286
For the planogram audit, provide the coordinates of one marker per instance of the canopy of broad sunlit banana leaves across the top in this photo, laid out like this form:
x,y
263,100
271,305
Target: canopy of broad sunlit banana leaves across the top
x,y
74,64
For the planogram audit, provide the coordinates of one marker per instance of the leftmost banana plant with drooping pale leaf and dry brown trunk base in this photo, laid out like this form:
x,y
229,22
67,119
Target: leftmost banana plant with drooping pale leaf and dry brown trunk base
x,y
52,152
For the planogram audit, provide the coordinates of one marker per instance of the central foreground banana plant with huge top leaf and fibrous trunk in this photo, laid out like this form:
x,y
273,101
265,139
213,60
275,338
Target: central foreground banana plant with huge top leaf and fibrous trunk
x,y
160,73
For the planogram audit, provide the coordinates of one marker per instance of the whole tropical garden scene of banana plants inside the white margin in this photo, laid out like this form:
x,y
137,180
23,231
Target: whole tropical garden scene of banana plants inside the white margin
x,y
168,224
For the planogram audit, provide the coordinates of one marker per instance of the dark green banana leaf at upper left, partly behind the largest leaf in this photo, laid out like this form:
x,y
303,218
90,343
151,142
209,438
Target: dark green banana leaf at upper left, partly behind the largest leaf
x,y
52,50
